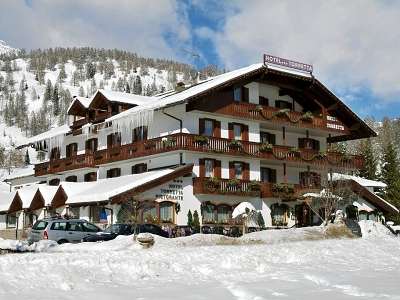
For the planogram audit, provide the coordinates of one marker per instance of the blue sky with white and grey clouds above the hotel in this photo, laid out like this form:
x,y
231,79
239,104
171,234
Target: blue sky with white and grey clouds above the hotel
x,y
353,45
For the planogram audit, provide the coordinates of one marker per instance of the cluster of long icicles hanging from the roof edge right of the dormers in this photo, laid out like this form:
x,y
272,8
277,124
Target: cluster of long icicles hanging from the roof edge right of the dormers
x,y
127,122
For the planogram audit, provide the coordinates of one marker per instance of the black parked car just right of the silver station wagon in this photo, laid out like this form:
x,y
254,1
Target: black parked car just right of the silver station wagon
x,y
124,229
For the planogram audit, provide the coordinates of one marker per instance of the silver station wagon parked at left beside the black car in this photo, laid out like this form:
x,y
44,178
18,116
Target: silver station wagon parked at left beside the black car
x,y
62,230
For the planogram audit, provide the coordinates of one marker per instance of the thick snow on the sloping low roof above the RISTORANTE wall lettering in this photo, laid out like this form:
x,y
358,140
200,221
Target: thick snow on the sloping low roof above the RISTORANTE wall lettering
x,y
99,191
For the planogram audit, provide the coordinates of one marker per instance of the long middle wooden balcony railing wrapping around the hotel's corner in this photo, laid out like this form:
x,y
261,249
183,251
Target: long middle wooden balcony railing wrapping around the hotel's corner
x,y
191,142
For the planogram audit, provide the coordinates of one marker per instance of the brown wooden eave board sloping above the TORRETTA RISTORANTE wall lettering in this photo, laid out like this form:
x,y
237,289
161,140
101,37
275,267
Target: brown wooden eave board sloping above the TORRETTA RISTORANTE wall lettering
x,y
185,170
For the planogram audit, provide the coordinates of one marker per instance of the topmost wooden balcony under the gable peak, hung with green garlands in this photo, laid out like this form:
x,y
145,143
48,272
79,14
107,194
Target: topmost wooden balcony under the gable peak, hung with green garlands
x,y
281,116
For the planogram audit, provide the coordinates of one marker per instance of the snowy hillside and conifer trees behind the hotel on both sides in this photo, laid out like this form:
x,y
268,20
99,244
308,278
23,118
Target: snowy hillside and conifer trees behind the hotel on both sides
x,y
37,88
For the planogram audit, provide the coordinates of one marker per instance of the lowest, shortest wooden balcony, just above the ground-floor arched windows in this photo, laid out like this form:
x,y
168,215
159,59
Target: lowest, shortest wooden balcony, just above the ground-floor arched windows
x,y
202,185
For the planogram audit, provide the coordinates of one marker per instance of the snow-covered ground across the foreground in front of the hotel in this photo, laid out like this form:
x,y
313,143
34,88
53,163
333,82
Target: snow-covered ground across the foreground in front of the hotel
x,y
273,264
